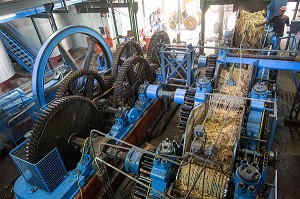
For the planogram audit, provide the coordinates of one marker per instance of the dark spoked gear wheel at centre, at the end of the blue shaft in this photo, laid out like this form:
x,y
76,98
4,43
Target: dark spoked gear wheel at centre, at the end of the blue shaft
x,y
132,74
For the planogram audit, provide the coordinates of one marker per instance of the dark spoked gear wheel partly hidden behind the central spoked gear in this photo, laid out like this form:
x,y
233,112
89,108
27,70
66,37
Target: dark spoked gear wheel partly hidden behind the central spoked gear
x,y
124,52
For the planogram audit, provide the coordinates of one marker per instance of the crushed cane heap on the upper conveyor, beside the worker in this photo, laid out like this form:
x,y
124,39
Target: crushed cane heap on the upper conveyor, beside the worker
x,y
247,21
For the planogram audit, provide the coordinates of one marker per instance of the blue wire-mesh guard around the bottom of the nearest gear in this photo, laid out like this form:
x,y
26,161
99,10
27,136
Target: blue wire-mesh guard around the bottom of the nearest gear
x,y
47,174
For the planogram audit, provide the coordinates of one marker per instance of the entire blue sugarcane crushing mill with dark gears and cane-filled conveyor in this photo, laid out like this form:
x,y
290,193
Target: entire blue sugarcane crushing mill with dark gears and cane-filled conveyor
x,y
89,137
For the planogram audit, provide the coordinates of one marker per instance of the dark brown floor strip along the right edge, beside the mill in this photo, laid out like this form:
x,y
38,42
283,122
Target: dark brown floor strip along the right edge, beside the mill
x,y
287,141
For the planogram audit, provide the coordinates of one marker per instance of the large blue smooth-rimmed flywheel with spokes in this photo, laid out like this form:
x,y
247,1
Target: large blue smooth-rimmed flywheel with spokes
x,y
40,64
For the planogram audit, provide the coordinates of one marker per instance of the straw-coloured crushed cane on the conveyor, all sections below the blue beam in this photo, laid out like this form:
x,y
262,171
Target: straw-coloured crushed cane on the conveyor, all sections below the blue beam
x,y
215,180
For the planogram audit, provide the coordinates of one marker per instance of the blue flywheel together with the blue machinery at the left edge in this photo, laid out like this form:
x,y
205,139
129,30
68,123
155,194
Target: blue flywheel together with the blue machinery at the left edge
x,y
20,107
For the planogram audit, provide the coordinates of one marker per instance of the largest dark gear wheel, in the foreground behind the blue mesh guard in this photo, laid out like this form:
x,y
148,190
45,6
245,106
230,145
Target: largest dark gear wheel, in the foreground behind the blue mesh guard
x,y
73,115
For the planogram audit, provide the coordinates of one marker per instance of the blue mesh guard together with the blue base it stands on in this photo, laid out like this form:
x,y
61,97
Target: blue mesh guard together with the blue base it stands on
x,y
48,178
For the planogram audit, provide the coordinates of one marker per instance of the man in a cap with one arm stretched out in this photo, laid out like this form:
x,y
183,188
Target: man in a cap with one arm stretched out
x,y
278,28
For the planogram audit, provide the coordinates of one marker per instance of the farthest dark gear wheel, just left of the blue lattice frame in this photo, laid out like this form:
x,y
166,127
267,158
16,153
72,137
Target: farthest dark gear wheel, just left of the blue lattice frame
x,y
156,41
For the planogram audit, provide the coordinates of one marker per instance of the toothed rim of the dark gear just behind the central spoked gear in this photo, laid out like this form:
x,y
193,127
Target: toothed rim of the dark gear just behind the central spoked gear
x,y
120,50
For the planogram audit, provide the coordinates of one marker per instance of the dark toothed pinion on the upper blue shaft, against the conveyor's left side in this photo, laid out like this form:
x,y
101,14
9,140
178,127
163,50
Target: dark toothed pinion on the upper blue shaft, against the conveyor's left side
x,y
186,108
